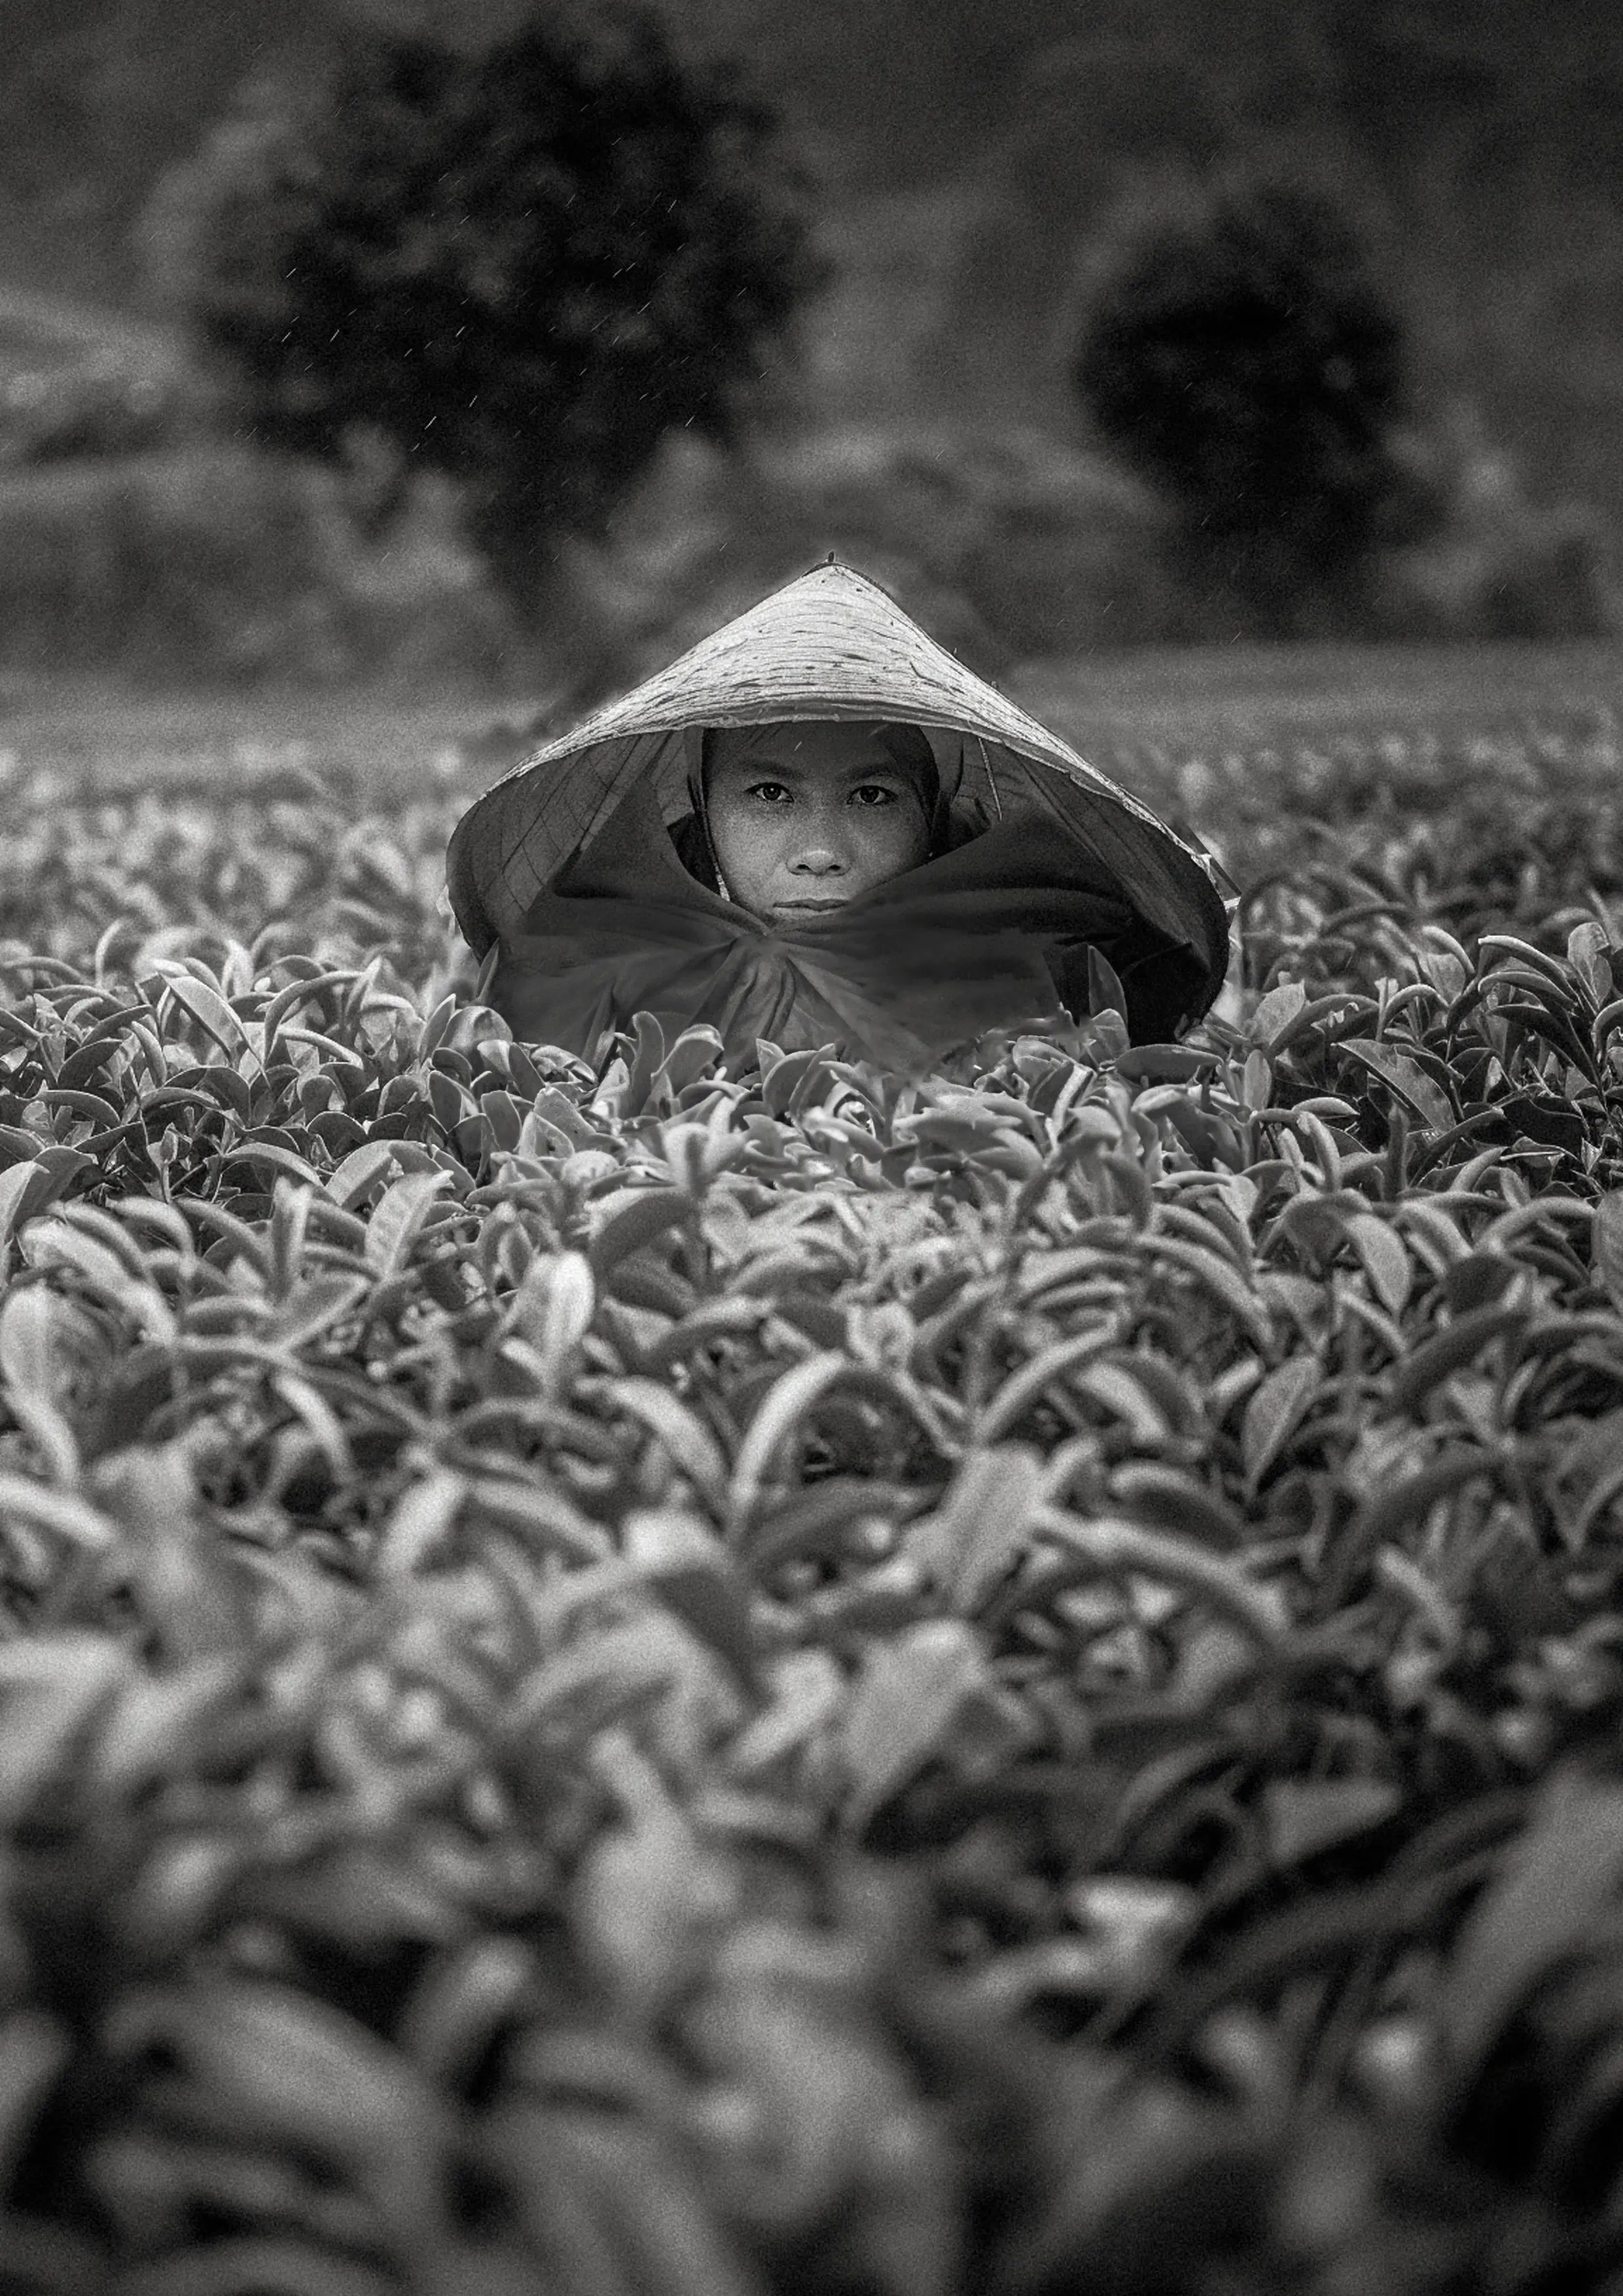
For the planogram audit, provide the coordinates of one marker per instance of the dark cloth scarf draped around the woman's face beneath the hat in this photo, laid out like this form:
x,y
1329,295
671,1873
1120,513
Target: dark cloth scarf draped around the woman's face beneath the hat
x,y
991,931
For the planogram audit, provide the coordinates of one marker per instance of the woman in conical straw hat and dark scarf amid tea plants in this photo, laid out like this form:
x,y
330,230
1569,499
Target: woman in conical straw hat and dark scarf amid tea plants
x,y
818,828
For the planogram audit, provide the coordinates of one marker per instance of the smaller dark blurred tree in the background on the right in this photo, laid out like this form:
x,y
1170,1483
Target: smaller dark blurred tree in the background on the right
x,y
1245,359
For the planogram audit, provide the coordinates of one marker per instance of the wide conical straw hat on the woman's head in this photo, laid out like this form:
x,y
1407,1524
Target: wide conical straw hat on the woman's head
x,y
828,646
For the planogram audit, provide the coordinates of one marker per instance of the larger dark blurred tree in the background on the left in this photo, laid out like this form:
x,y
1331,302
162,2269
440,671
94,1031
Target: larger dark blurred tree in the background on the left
x,y
520,267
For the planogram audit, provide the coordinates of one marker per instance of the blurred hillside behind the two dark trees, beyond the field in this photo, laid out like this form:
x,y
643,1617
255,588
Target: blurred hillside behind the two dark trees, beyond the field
x,y
968,166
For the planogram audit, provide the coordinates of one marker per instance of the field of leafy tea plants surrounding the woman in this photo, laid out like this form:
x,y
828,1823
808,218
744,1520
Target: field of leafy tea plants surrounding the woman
x,y
658,1684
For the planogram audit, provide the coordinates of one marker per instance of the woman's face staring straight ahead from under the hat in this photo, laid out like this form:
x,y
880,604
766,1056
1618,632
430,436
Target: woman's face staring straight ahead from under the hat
x,y
807,819
